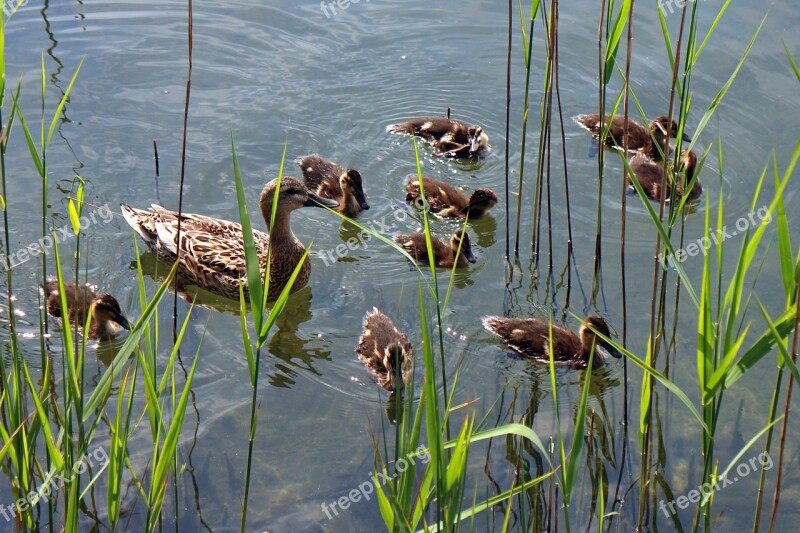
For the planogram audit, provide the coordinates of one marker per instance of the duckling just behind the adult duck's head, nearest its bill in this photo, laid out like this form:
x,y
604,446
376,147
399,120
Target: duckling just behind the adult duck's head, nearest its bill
x,y
329,180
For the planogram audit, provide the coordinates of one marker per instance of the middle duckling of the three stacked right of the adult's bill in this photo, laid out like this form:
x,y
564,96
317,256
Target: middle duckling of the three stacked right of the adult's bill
x,y
448,201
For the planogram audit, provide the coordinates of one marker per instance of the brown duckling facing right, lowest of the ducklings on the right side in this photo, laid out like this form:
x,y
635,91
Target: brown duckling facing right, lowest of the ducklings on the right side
x,y
531,338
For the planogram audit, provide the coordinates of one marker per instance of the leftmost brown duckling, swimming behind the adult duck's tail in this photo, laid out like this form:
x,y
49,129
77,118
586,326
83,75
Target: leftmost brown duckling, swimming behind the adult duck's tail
x,y
107,317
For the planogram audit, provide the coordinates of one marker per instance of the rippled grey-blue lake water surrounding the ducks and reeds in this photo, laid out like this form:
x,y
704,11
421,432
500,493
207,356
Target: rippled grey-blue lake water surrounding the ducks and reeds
x,y
275,73
